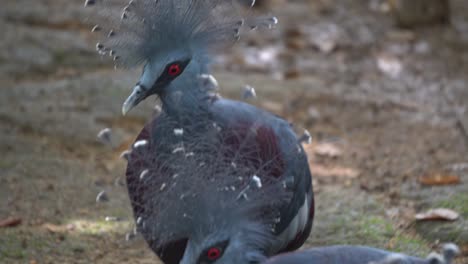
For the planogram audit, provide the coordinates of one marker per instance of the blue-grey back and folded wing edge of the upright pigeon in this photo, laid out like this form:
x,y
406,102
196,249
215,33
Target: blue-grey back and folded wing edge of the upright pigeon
x,y
277,146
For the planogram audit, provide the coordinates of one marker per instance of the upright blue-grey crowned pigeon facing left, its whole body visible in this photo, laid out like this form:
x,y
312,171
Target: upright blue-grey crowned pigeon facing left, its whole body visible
x,y
176,41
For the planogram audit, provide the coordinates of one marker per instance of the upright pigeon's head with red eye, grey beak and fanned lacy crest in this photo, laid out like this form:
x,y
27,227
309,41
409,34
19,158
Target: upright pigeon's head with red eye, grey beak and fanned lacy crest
x,y
174,40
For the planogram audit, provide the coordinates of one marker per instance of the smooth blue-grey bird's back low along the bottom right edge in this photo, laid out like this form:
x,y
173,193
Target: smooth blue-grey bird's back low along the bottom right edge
x,y
361,255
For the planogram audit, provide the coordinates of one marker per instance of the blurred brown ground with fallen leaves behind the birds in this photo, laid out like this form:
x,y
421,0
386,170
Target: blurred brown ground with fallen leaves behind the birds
x,y
382,86
